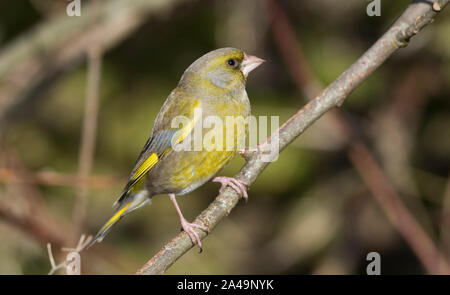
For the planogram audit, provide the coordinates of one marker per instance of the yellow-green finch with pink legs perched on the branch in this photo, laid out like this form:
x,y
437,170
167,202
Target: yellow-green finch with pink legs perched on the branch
x,y
214,85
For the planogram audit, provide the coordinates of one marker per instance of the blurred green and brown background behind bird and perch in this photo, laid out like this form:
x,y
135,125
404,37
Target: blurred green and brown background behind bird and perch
x,y
78,96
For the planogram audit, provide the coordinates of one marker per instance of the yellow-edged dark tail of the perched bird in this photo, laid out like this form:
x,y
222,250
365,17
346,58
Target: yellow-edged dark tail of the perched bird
x,y
129,203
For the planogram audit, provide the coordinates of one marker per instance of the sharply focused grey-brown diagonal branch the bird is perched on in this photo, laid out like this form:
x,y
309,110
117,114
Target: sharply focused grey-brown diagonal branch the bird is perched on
x,y
415,17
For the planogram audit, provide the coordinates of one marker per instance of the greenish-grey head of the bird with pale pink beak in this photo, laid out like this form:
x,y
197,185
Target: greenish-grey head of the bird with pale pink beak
x,y
224,68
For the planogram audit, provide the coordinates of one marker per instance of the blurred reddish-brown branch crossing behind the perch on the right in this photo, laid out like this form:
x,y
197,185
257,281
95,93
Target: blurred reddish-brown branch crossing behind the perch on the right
x,y
358,152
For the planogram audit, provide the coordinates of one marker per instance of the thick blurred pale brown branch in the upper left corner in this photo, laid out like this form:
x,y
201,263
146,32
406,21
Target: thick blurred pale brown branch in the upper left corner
x,y
35,60
